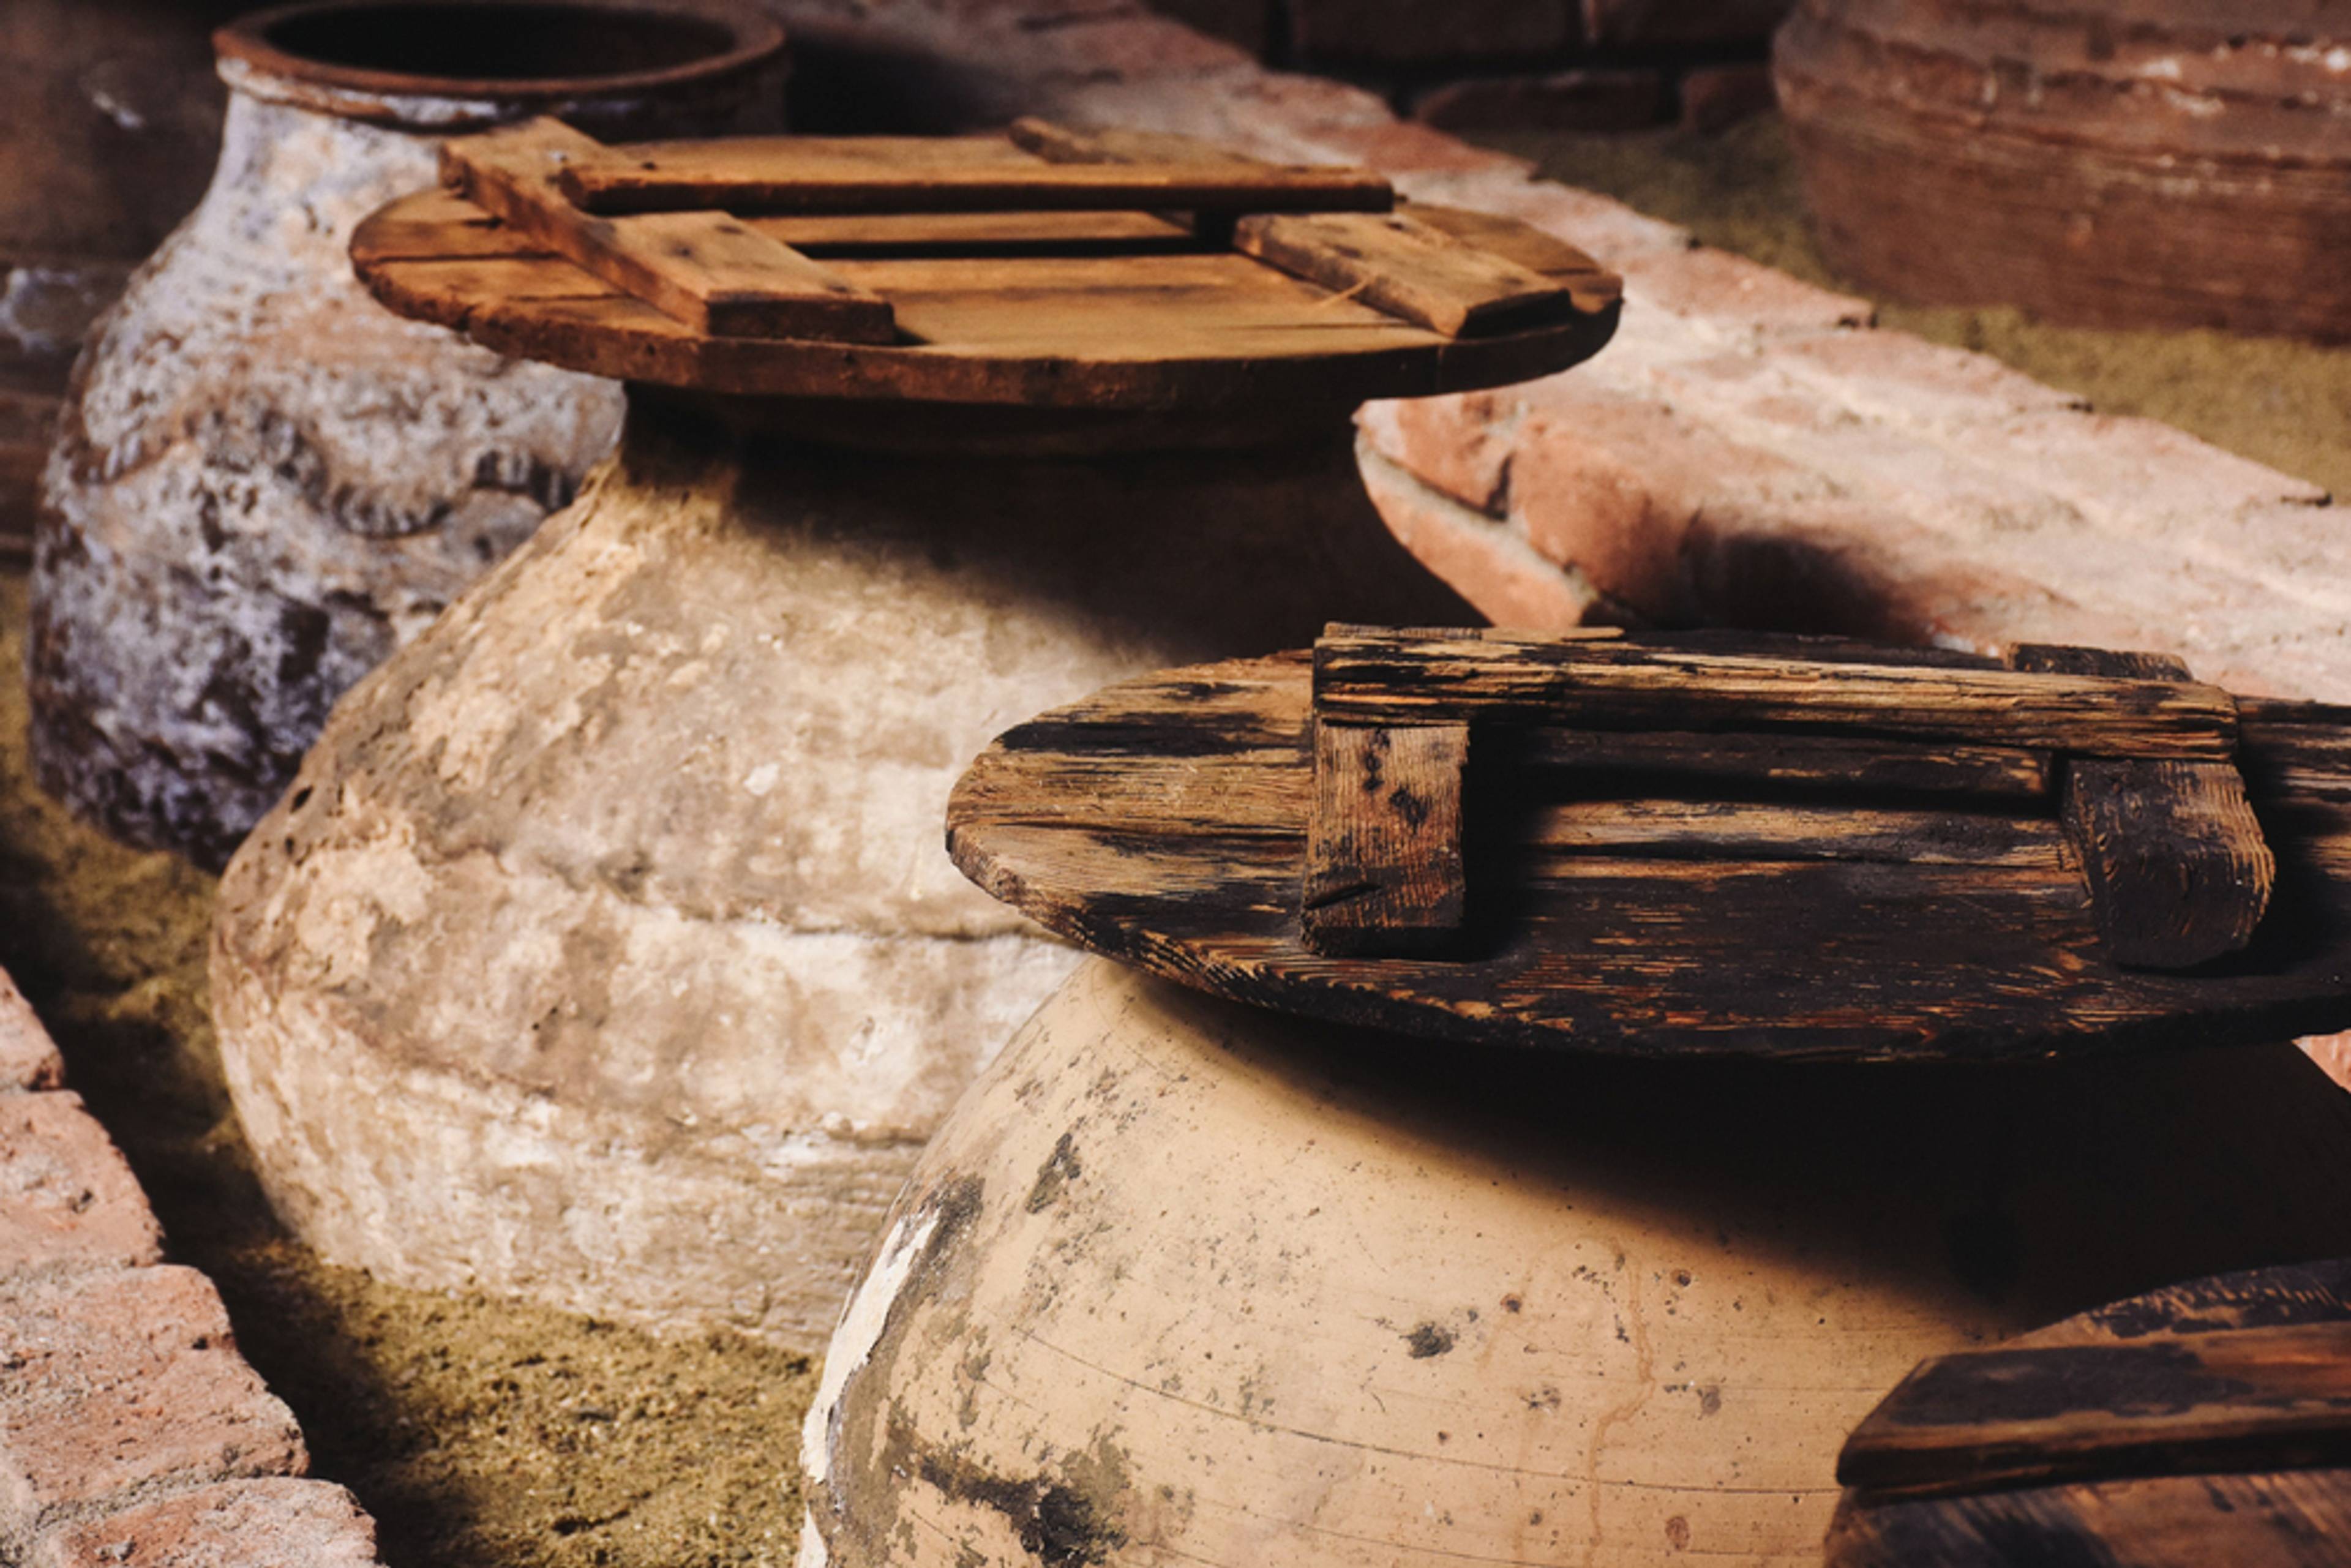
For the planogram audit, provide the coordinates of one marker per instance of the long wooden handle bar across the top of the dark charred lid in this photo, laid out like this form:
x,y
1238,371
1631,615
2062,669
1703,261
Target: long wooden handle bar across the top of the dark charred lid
x,y
1630,685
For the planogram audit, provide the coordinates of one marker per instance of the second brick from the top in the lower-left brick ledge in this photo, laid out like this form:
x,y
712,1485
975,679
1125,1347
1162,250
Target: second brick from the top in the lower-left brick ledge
x,y
67,1200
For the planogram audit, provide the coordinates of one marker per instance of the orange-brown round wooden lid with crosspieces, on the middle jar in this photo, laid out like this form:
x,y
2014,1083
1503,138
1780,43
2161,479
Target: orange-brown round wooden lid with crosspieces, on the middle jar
x,y
1043,269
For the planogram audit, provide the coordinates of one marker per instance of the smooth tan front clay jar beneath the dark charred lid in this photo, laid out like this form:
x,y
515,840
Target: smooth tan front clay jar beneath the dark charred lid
x,y
1186,1282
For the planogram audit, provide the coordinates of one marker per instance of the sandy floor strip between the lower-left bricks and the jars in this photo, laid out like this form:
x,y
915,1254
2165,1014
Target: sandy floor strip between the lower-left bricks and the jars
x,y
478,1433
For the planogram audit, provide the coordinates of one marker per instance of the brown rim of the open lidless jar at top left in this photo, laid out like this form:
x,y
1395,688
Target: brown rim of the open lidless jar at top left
x,y
253,62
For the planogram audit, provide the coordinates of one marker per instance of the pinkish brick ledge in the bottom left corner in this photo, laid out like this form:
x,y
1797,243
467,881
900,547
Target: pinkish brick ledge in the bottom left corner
x,y
130,1428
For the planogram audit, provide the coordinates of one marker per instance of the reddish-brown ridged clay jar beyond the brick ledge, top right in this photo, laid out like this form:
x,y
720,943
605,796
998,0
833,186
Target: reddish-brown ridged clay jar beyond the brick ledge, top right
x,y
2122,163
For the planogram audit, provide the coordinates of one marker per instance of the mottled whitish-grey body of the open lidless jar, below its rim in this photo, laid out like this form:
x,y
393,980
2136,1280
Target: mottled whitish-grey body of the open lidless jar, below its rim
x,y
264,483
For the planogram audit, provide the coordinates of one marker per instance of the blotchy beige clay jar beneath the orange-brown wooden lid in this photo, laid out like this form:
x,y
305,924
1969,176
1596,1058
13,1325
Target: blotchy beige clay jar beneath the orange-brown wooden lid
x,y
605,949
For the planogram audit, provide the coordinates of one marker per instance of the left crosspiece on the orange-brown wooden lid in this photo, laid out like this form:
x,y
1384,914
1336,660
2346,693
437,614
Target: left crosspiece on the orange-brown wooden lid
x,y
704,269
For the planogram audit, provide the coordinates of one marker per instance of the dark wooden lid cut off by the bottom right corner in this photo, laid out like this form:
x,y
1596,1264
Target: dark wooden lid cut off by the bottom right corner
x,y
2206,1423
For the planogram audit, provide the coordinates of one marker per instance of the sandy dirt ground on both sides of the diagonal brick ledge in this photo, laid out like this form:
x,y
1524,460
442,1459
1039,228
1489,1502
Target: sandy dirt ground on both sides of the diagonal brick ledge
x,y
514,1438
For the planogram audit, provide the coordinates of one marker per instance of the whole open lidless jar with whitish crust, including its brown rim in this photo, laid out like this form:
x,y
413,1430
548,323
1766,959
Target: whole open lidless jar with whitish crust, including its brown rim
x,y
264,483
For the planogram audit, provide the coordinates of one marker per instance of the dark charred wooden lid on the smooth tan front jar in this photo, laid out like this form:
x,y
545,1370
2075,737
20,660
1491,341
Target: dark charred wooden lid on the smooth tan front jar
x,y
1696,845
